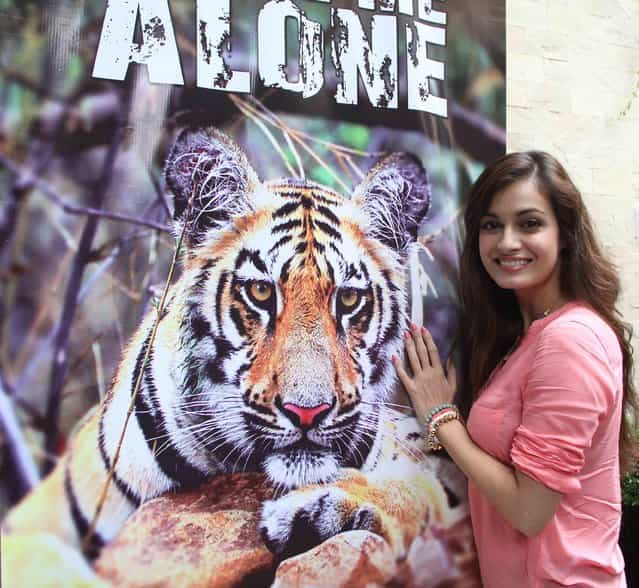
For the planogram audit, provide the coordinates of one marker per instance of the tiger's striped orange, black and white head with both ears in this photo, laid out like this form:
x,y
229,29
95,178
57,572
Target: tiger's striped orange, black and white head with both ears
x,y
294,302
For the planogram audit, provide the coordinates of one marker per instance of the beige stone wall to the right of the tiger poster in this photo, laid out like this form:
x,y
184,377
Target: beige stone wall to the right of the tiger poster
x,y
573,90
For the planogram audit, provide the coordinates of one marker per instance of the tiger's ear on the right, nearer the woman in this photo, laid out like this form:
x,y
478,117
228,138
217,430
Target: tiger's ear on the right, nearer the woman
x,y
395,195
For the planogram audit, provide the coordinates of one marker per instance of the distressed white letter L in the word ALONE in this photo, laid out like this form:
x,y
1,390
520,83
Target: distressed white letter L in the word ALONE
x,y
213,38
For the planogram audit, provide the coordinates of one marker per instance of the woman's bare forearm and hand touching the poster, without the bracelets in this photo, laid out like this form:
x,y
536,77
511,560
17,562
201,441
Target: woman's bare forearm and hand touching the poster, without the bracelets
x,y
527,504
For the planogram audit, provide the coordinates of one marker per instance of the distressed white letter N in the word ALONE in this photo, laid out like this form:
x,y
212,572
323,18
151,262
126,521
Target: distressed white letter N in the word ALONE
x,y
376,60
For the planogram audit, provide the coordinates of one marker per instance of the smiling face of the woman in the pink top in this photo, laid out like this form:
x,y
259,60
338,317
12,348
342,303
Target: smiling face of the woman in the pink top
x,y
519,242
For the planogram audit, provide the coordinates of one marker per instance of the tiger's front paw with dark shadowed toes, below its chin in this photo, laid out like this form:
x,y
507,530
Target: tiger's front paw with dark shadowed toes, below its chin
x,y
302,519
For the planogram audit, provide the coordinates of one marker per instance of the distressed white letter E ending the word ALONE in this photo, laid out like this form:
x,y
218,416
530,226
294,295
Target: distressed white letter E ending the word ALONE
x,y
421,68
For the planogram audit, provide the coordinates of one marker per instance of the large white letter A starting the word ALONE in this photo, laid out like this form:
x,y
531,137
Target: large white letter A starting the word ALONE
x,y
158,51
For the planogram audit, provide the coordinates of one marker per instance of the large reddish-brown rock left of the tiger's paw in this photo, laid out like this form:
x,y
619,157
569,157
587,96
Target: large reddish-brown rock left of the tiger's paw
x,y
208,537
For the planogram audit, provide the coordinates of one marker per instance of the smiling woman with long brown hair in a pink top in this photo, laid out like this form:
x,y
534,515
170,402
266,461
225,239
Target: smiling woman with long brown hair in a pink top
x,y
550,373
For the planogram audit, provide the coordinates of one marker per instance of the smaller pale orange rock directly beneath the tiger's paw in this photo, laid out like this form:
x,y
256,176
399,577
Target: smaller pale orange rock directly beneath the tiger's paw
x,y
354,559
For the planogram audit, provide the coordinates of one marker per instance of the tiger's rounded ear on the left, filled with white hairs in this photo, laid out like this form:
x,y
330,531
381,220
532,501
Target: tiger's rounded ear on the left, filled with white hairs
x,y
210,178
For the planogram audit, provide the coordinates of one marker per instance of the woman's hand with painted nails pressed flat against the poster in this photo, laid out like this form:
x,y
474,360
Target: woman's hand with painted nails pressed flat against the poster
x,y
429,386
